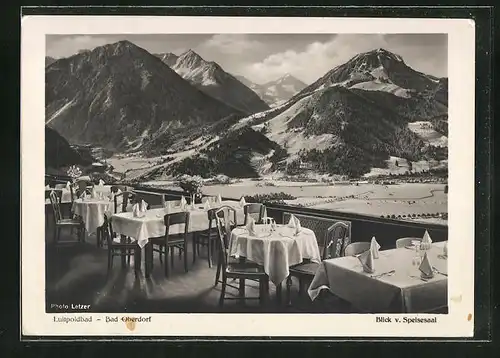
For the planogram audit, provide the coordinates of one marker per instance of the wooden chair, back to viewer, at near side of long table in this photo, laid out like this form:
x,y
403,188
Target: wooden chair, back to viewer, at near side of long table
x,y
168,242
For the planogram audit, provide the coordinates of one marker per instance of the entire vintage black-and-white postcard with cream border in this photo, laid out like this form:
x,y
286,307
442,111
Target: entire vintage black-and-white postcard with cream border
x,y
247,177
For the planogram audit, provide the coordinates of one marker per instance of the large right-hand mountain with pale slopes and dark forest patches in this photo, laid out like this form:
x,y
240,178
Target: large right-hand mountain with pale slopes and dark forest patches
x,y
354,118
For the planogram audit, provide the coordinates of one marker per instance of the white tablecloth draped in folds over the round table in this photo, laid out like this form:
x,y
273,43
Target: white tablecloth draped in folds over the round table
x,y
276,251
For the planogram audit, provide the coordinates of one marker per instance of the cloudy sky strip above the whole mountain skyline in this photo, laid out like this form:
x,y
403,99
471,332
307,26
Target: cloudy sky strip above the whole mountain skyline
x,y
266,57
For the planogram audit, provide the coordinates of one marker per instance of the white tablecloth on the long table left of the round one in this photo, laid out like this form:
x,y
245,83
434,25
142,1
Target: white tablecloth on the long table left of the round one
x,y
152,225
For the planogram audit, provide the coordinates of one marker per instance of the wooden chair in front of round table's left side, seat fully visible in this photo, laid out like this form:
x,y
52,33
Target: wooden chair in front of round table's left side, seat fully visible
x,y
237,270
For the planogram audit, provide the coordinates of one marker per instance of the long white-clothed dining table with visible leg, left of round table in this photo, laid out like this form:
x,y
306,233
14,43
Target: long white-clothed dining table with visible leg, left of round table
x,y
152,225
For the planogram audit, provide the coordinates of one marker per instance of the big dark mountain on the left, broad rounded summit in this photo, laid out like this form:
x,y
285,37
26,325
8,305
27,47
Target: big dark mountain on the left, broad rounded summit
x,y
119,96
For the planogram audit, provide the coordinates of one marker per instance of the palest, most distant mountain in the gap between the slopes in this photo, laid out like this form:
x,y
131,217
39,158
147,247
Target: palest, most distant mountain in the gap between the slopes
x,y
278,91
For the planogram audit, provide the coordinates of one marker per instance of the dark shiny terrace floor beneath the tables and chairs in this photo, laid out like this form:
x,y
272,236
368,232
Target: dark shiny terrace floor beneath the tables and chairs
x,y
76,273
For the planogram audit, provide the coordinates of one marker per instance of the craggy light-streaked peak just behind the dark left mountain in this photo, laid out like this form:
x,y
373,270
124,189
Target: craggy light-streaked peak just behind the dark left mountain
x,y
210,78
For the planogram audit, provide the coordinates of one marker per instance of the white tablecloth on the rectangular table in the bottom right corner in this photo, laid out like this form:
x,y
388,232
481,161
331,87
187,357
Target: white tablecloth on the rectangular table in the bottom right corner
x,y
403,291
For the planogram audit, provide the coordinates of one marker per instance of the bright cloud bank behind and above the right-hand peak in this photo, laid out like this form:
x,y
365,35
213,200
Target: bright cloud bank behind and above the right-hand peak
x,y
319,57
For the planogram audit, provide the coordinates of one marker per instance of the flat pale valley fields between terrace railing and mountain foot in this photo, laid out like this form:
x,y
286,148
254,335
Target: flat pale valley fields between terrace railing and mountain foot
x,y
370,199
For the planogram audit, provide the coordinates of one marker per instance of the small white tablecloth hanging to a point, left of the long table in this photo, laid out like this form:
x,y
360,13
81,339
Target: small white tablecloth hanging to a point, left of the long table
x,y
92,212
